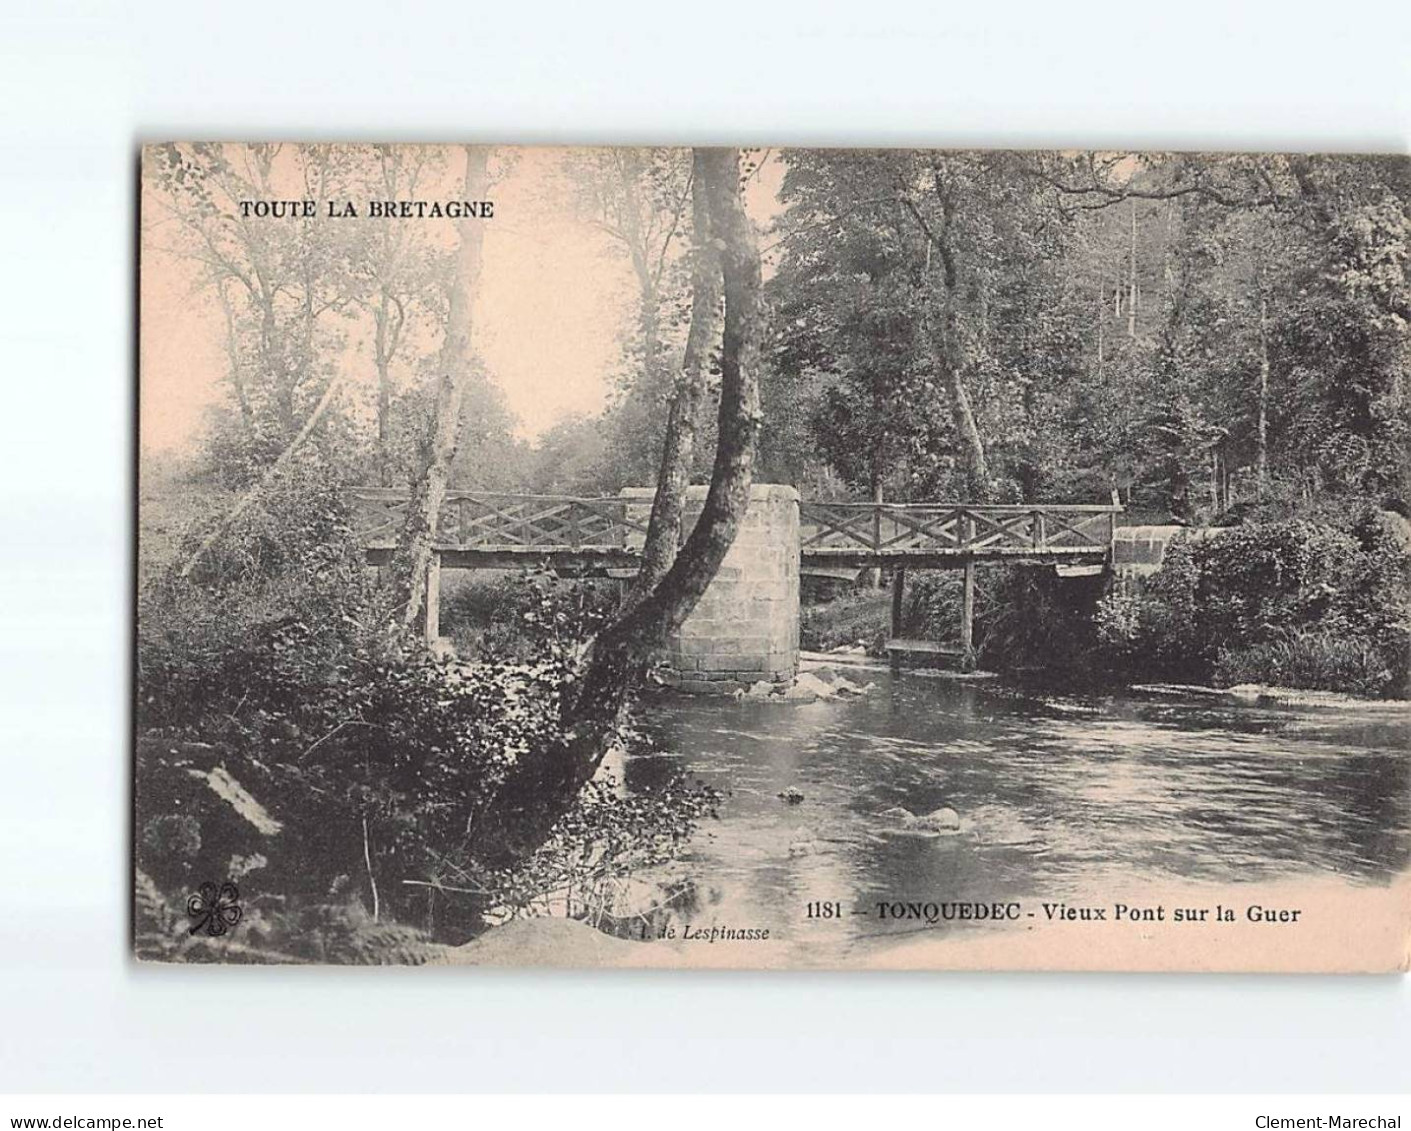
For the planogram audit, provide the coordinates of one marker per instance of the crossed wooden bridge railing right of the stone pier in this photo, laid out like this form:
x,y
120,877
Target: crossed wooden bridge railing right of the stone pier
x,y
849,528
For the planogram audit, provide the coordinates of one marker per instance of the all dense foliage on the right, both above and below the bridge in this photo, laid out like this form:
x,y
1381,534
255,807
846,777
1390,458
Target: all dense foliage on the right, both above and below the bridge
x,y
1221,341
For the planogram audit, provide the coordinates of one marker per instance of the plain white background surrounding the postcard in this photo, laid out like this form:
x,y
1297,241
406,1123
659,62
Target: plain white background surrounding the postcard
x,y
84,82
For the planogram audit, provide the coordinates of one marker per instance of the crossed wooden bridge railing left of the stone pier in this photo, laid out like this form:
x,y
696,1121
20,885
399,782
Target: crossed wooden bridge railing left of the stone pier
x,y
500,521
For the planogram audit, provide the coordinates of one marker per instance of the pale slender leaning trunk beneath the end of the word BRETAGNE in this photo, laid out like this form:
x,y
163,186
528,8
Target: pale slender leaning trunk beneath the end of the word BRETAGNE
x,y
413,561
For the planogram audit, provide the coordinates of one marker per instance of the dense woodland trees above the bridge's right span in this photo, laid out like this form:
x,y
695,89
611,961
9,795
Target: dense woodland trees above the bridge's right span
x,y
1194,332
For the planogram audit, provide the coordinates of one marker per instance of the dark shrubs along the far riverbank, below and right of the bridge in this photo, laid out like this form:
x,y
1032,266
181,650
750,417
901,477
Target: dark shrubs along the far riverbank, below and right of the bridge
x,y
1296,603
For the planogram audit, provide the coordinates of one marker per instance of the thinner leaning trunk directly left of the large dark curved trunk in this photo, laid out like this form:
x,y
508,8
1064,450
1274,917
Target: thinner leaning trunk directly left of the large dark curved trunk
x,y
664,530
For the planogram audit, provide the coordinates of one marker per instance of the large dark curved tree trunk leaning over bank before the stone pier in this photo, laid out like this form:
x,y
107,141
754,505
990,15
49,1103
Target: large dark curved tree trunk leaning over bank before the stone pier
x,y
544,783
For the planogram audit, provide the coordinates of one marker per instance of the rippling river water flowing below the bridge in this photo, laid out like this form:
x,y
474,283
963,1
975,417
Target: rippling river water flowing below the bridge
x,y
1059,797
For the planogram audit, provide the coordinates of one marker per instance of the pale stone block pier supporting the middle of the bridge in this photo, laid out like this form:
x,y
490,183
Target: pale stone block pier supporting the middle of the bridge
x,y
746,628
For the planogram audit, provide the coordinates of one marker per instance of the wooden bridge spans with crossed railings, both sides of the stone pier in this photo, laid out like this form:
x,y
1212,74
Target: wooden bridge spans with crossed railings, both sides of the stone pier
x,y
482,530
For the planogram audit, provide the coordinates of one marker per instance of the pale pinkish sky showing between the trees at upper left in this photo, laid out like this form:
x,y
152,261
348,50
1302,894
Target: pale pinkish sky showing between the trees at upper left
x,y
554,300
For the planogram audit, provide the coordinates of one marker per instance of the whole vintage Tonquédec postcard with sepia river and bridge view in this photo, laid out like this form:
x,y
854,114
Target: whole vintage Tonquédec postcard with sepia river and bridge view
x,y
774,559
